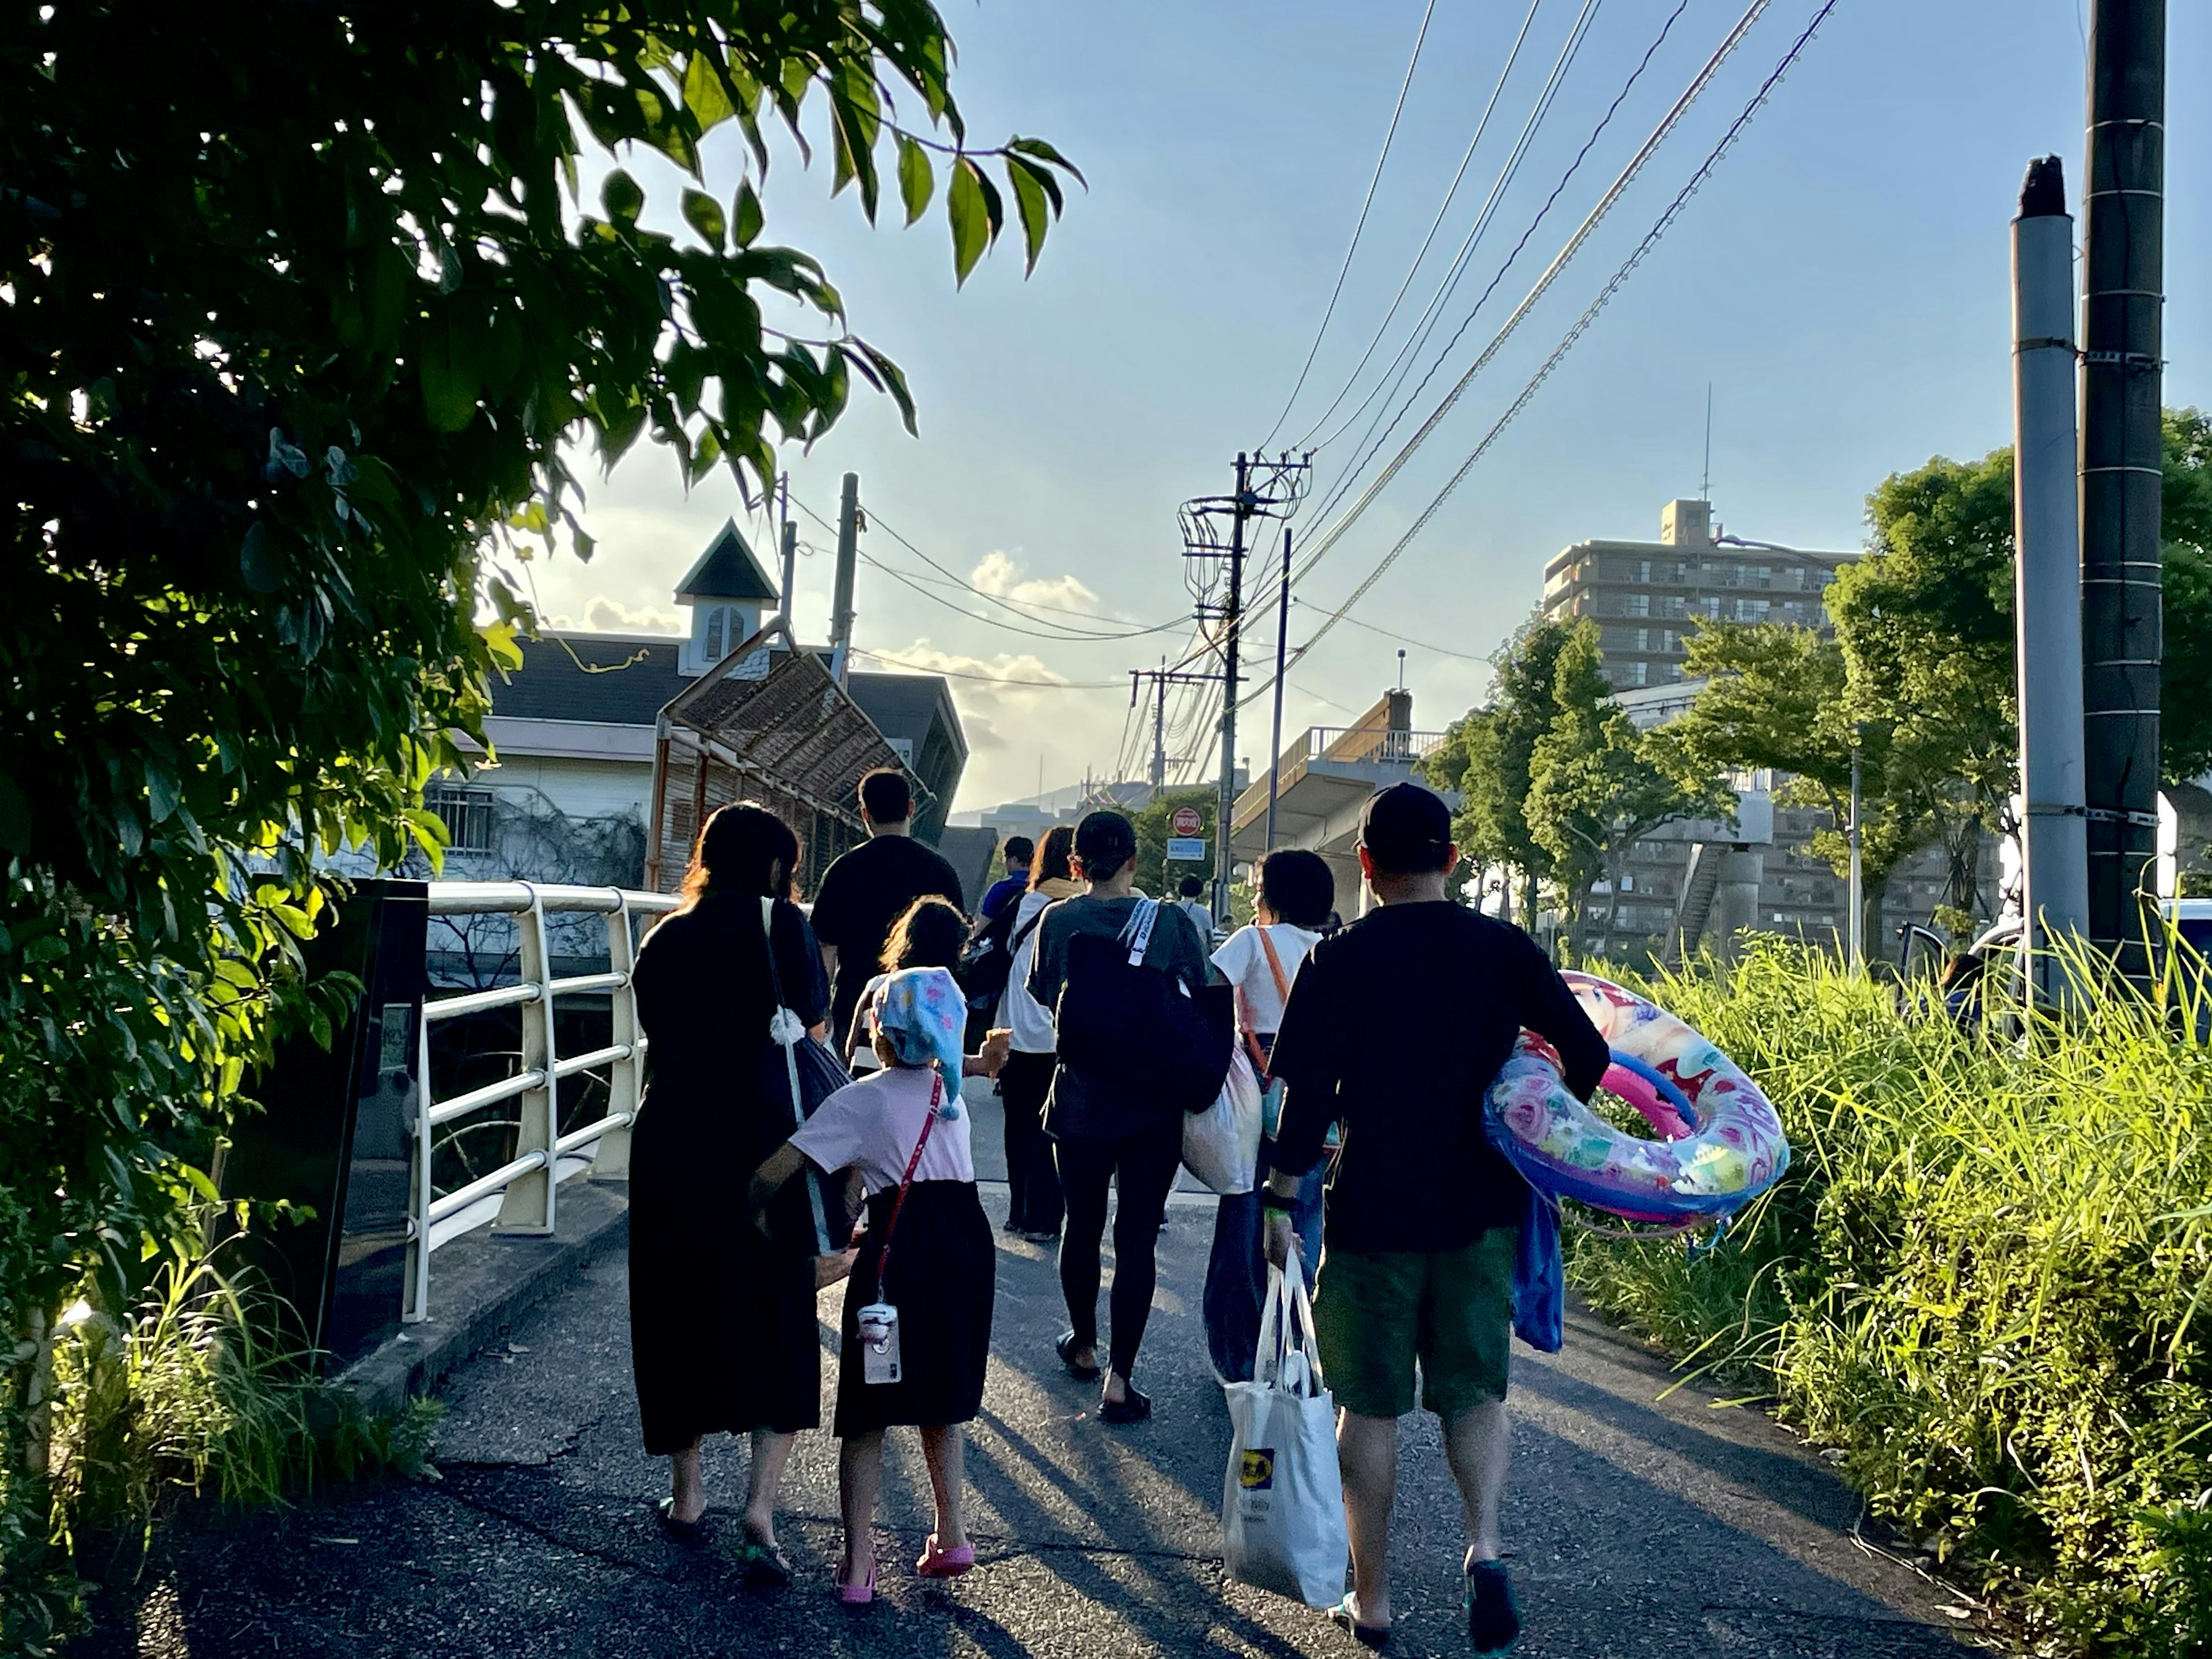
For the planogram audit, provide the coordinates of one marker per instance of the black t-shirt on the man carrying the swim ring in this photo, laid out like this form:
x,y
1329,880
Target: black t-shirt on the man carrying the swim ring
x,y
1399,1027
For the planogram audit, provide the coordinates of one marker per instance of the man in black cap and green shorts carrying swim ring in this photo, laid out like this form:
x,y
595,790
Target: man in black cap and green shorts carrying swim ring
x,y
1397,1027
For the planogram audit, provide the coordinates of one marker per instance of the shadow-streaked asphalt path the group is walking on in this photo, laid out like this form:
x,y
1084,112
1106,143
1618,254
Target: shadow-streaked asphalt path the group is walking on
x,y
1642,1527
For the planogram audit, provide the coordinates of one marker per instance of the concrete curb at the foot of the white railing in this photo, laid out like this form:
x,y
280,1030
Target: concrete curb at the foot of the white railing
x,y
481,1286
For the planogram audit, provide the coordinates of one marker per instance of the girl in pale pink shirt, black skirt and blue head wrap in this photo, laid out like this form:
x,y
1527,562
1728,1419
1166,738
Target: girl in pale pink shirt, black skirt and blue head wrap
x,y
928,1255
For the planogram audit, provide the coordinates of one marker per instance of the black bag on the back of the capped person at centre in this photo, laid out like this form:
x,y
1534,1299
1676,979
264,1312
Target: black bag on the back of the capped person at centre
x,y
1140,1030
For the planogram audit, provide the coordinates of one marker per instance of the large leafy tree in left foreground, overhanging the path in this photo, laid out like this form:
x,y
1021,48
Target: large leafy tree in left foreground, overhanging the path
x,y
302,317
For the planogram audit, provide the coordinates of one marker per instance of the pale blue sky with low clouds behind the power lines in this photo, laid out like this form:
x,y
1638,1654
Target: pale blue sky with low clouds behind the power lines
x,y
1841,282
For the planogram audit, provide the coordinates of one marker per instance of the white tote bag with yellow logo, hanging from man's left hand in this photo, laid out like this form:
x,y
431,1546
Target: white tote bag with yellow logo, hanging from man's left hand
x,y
1282,1503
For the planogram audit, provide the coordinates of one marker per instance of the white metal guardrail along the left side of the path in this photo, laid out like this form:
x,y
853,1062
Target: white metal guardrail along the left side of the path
x,y
523,1196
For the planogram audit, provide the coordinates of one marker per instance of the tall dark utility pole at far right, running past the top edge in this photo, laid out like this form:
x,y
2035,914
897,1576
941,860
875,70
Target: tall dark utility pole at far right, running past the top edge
x,y
2122,468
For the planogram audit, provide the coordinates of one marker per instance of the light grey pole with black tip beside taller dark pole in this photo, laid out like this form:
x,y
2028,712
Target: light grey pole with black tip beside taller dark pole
x,y
2047,576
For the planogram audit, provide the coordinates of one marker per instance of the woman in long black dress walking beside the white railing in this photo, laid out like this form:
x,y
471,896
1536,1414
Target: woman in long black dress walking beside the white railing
x,y
722,1324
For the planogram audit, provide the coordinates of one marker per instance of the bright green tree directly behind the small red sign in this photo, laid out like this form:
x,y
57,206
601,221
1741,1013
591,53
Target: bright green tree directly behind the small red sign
x,y
1598,786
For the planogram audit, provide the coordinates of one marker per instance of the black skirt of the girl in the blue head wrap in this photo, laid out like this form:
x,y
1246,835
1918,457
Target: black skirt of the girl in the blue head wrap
x,y
943,1280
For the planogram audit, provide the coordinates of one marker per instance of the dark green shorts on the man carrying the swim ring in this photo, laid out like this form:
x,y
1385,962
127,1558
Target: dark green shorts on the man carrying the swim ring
x,y
1379,1311
